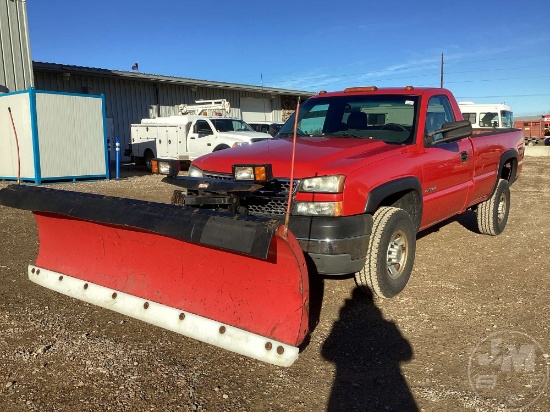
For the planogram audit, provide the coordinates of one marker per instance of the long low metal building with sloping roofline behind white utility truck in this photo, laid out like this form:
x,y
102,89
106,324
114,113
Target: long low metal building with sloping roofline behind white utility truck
x,y
132,96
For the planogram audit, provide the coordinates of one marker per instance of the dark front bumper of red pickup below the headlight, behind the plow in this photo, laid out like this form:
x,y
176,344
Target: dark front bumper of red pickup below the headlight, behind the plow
x,y
334,245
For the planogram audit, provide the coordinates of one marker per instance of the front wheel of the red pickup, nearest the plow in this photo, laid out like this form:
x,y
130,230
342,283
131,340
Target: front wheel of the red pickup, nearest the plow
x,y
390,257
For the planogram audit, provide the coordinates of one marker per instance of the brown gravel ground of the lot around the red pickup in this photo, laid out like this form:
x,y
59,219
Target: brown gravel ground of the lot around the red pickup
x,y
469,296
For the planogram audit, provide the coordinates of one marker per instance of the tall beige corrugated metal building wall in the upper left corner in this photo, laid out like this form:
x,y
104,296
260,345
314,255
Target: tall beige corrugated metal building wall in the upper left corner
x,y
15,56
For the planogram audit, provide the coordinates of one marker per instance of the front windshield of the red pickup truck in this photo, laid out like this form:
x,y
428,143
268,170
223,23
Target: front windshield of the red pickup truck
x,y
390,118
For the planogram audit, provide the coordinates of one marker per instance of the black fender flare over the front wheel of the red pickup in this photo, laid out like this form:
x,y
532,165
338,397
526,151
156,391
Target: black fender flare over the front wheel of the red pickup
x,y
405,193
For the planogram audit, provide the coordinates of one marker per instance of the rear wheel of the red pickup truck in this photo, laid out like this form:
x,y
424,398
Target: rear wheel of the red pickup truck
x,y
492,214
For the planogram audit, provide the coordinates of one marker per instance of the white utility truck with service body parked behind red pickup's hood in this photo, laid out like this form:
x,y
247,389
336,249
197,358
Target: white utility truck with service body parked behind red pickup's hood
x,y
198,129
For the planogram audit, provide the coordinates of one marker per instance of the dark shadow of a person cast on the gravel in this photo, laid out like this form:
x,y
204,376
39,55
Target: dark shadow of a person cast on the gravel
x,y
367,351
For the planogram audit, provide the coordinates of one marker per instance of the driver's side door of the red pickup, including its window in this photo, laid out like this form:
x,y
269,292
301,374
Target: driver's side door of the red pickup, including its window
x,y
447,169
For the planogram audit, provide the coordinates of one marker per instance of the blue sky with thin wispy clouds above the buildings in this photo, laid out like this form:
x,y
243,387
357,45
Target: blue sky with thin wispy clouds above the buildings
x,y
494,51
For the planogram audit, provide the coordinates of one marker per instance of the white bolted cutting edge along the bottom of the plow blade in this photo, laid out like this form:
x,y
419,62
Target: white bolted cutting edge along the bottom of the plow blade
x,y
184,323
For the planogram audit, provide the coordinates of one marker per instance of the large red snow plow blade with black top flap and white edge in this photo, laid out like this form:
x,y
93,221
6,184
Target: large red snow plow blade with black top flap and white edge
x,y
236,283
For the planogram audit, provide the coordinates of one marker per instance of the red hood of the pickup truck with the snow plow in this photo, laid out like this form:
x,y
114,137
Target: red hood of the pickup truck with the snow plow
x,y
314,156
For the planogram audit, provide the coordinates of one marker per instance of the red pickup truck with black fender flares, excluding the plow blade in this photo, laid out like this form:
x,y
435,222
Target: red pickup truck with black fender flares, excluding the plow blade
x,y
371,167
